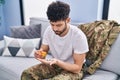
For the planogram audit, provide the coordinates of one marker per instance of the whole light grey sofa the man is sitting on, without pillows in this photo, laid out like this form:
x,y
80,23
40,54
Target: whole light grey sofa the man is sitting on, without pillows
x,y
12,67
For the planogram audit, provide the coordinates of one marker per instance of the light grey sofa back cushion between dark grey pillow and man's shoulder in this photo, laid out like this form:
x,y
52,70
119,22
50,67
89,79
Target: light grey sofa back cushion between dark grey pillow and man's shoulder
x,y
43,21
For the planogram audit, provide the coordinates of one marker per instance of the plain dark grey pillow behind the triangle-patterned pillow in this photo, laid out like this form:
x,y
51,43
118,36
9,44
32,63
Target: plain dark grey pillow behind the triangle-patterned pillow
x,y
26,32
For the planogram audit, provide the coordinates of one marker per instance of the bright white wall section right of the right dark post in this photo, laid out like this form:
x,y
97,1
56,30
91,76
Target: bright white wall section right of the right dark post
x,y
114,10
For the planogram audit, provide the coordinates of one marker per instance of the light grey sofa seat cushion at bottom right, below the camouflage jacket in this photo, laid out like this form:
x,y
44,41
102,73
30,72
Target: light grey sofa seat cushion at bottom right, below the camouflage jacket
x,y
101,75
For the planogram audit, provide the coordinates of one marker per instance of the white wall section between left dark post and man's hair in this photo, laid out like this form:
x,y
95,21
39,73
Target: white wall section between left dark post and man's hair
x,y
35,8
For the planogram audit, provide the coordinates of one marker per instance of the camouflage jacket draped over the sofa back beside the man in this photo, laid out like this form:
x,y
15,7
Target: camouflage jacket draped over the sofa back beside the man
x,y
100,35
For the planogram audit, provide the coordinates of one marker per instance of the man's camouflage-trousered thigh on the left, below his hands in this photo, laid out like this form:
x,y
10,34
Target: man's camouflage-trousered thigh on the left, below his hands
x,y
42,70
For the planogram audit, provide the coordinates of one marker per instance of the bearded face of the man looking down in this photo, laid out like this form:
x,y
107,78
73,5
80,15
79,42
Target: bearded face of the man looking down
x,y
59,27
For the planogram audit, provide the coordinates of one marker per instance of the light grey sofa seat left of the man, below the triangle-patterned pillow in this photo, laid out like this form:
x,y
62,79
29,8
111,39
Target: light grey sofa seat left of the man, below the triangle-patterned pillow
x,y
11,68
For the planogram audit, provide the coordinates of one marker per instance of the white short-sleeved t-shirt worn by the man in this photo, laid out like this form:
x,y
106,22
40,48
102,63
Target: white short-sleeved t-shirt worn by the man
x,y
63,48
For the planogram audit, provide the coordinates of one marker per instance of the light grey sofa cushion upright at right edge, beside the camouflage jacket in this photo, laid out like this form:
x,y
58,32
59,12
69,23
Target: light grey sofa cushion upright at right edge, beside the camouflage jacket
x,y
111,63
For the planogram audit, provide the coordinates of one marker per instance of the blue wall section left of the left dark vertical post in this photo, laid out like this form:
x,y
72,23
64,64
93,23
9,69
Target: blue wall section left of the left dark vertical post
x,y
11,11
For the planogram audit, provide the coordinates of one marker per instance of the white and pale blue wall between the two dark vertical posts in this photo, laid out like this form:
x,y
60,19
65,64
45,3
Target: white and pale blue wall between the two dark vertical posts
x,y
81,10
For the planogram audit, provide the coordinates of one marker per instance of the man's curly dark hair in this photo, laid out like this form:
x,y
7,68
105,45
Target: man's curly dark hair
x,y
58,11
